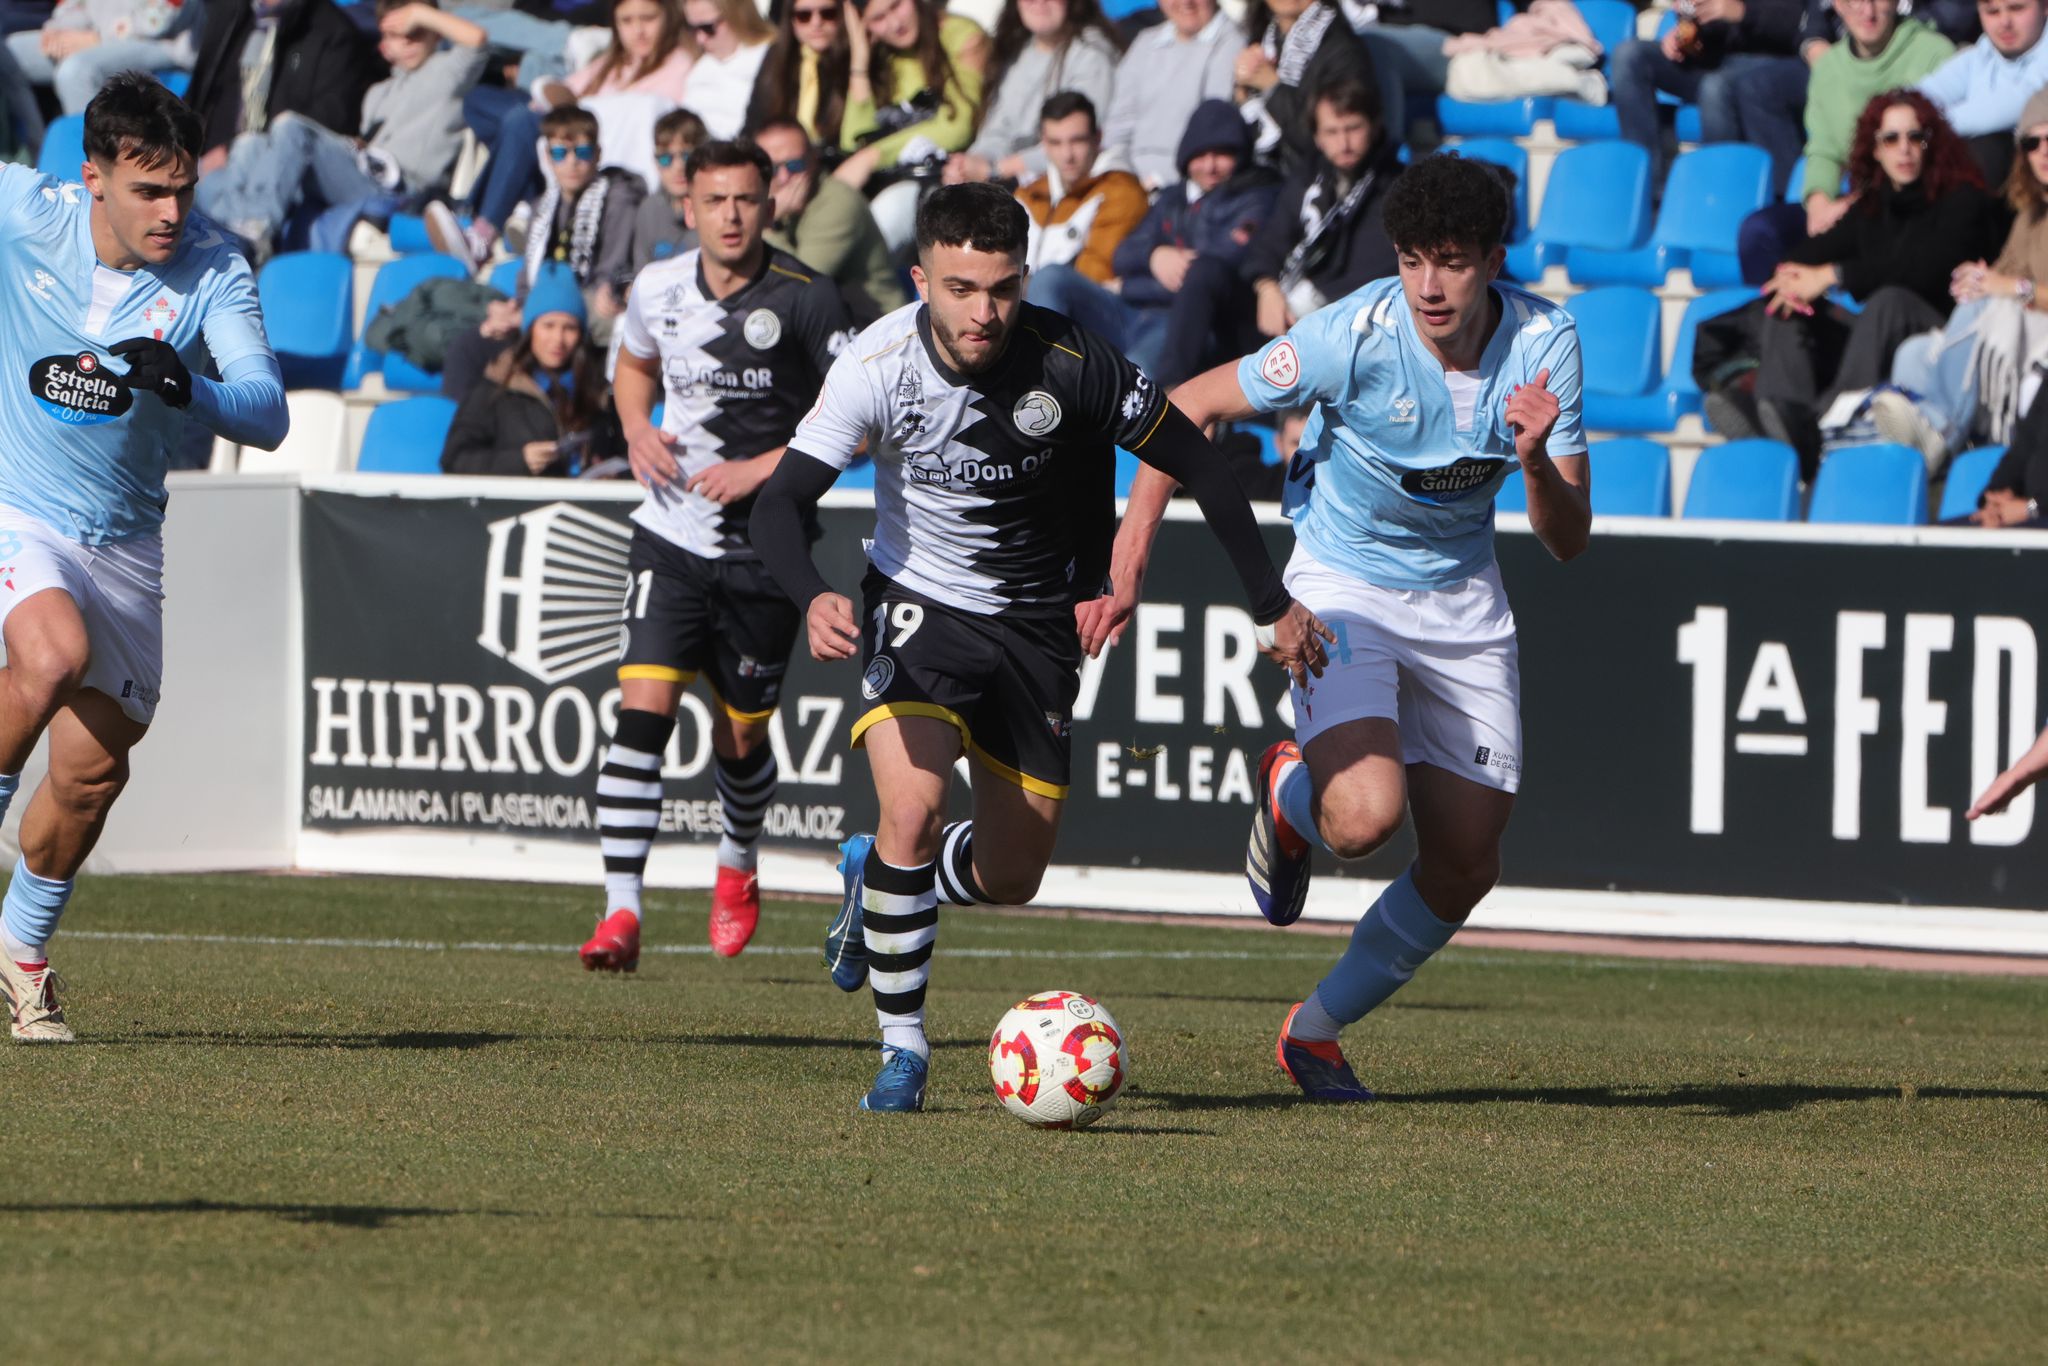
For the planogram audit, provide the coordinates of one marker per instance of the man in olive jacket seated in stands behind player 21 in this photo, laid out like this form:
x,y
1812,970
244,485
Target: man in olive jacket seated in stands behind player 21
x,y
826,224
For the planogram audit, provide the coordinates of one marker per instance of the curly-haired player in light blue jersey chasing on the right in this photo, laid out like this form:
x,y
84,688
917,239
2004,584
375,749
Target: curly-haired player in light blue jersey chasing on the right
x,y
1428,390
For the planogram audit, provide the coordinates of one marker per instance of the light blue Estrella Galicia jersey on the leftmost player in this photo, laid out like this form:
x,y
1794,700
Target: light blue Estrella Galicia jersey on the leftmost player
x,y
79,450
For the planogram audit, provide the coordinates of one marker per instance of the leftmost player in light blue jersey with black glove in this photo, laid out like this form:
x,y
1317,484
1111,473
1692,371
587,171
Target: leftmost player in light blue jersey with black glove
x,y
114,294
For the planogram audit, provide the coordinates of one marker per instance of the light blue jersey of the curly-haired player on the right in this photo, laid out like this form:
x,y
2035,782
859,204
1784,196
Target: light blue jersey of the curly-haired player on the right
x,y
1385,486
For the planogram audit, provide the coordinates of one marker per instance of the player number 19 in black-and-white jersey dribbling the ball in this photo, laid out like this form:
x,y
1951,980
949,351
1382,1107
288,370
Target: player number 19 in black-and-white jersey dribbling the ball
x,y
994,429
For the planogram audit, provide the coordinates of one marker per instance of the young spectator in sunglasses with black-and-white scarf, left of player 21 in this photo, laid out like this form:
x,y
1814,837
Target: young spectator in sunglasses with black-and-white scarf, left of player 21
x,y
585,220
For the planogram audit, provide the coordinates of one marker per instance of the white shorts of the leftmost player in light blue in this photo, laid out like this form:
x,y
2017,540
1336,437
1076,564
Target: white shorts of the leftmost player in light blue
x,y
118,589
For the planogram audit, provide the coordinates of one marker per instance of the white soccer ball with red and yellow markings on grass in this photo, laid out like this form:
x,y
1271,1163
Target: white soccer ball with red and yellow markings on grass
x,y
1058,1060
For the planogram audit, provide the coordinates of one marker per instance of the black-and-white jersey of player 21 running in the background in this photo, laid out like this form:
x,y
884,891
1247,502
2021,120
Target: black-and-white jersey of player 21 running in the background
x,y
736,374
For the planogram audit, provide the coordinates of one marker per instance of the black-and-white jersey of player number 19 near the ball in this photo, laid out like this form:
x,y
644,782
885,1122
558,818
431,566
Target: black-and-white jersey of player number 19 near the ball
x,y
994,493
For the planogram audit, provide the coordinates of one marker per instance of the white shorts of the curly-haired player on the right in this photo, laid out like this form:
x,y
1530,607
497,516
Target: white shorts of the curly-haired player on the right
x,y
1441,665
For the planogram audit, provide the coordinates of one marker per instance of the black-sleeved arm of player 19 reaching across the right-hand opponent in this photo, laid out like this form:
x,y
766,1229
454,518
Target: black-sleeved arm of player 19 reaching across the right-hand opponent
x,y
1289,632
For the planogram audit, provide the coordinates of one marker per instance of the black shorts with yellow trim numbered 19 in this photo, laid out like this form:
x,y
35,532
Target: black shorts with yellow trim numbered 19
x,y
1007,683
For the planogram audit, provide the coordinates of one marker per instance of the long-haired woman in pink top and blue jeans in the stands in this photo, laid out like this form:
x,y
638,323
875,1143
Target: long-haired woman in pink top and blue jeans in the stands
x,y
650,54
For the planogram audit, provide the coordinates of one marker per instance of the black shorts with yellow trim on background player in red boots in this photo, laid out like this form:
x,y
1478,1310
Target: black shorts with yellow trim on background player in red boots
x,y
724,620
